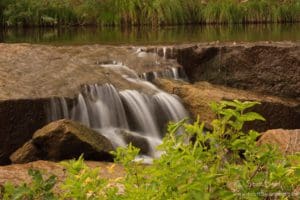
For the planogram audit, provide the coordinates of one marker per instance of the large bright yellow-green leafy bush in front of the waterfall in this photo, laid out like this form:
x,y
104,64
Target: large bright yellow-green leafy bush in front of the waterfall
x,y
225,163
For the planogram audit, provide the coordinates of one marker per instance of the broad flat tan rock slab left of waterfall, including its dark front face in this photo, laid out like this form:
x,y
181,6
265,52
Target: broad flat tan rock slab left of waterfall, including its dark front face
x,y
30,75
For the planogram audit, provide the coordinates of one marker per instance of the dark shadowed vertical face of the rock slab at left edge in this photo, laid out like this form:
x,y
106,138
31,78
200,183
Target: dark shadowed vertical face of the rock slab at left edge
x,y
19,119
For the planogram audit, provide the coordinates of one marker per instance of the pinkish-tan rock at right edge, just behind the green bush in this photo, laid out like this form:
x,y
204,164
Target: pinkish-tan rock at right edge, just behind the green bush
x,y
288,141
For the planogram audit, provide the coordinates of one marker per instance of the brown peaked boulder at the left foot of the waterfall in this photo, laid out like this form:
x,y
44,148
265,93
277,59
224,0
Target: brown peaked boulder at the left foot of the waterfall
x,y
64,139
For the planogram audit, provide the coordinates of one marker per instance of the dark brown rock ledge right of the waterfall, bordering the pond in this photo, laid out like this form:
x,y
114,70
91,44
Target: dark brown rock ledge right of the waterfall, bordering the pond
x,y
272,68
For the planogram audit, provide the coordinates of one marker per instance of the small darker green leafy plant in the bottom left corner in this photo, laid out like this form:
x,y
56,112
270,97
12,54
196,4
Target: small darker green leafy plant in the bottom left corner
x,y
38,189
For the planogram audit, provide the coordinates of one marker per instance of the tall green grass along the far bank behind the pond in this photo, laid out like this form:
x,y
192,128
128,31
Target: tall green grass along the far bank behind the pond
x,y
146,12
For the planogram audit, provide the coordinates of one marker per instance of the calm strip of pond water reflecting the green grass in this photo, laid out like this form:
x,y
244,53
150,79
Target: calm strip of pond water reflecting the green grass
x,y
166,35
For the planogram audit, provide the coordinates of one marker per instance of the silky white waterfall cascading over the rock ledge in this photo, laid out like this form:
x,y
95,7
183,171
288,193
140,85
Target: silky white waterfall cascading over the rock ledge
x,y
113,112
